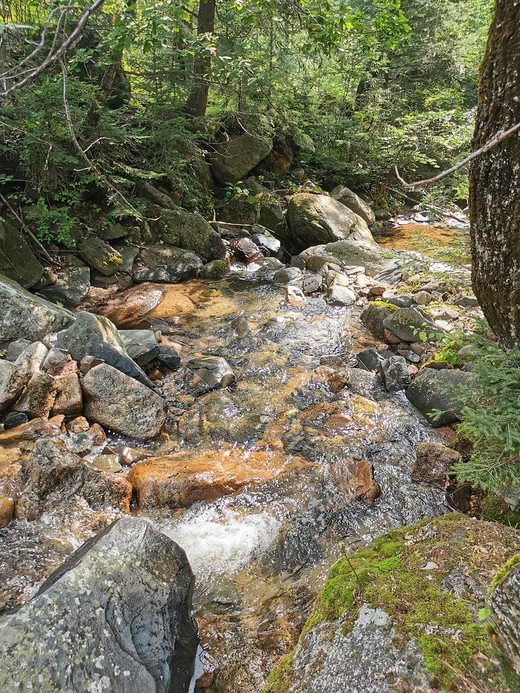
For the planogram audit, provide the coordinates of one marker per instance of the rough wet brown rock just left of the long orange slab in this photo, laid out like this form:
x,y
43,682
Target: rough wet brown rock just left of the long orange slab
x,y
53,477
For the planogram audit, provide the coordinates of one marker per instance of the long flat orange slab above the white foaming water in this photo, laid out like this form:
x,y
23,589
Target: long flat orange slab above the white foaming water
x,y
181,479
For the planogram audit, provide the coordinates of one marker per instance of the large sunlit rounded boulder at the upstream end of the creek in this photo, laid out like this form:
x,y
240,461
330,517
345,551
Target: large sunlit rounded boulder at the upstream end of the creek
x,y
319,219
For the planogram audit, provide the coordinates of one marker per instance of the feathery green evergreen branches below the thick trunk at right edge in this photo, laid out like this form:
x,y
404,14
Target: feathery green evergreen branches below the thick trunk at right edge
x,y
491,421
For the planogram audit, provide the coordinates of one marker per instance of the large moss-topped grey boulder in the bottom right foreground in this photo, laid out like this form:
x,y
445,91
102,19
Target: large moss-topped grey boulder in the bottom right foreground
x,y
405,614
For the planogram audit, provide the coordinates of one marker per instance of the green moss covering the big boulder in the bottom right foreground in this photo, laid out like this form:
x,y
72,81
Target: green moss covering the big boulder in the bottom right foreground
x,y
404,573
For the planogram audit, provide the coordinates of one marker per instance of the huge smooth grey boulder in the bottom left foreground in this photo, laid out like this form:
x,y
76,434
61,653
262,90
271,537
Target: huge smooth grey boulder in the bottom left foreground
x,y
115,617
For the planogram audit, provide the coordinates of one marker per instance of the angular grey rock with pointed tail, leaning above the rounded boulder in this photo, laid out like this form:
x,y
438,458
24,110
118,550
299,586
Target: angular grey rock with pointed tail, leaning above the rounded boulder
x,y
95,335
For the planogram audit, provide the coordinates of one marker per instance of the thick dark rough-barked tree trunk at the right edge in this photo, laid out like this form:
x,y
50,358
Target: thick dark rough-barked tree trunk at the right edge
x,y
494,198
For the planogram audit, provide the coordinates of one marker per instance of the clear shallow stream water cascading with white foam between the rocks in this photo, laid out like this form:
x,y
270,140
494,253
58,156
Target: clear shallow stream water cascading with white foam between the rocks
x,y
261,554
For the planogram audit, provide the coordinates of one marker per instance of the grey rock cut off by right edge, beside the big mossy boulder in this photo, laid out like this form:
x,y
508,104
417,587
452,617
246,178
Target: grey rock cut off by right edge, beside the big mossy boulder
x,y
504,603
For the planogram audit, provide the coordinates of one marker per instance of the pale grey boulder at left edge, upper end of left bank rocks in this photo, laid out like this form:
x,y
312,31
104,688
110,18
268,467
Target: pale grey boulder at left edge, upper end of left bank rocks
x,y
25,315
